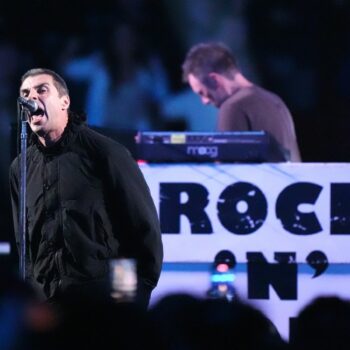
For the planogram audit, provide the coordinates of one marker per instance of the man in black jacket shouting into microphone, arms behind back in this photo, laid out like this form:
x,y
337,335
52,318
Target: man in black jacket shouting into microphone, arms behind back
x,y
87,200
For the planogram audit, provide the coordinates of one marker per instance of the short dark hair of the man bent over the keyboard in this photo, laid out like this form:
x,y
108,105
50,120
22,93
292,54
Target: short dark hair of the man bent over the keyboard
x,y
205,58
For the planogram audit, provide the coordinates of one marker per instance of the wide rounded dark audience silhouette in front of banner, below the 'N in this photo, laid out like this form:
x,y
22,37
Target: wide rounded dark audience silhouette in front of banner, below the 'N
x,y
188,322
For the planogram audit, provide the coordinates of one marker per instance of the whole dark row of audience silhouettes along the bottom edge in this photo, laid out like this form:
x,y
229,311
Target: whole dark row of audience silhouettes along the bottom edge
x,y
176,321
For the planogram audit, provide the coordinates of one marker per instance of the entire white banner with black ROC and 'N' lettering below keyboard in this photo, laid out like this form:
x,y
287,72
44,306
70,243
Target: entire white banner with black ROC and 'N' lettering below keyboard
x,y
288,226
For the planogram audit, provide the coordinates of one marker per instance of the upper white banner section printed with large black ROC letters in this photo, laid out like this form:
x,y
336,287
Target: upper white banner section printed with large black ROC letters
x,y
266,208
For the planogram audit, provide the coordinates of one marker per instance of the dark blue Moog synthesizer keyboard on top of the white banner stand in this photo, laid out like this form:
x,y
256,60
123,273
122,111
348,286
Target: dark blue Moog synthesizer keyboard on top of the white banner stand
x,y
235,147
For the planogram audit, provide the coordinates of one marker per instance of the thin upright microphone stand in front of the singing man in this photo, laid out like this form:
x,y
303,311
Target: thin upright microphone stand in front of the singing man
x,y
24,114
